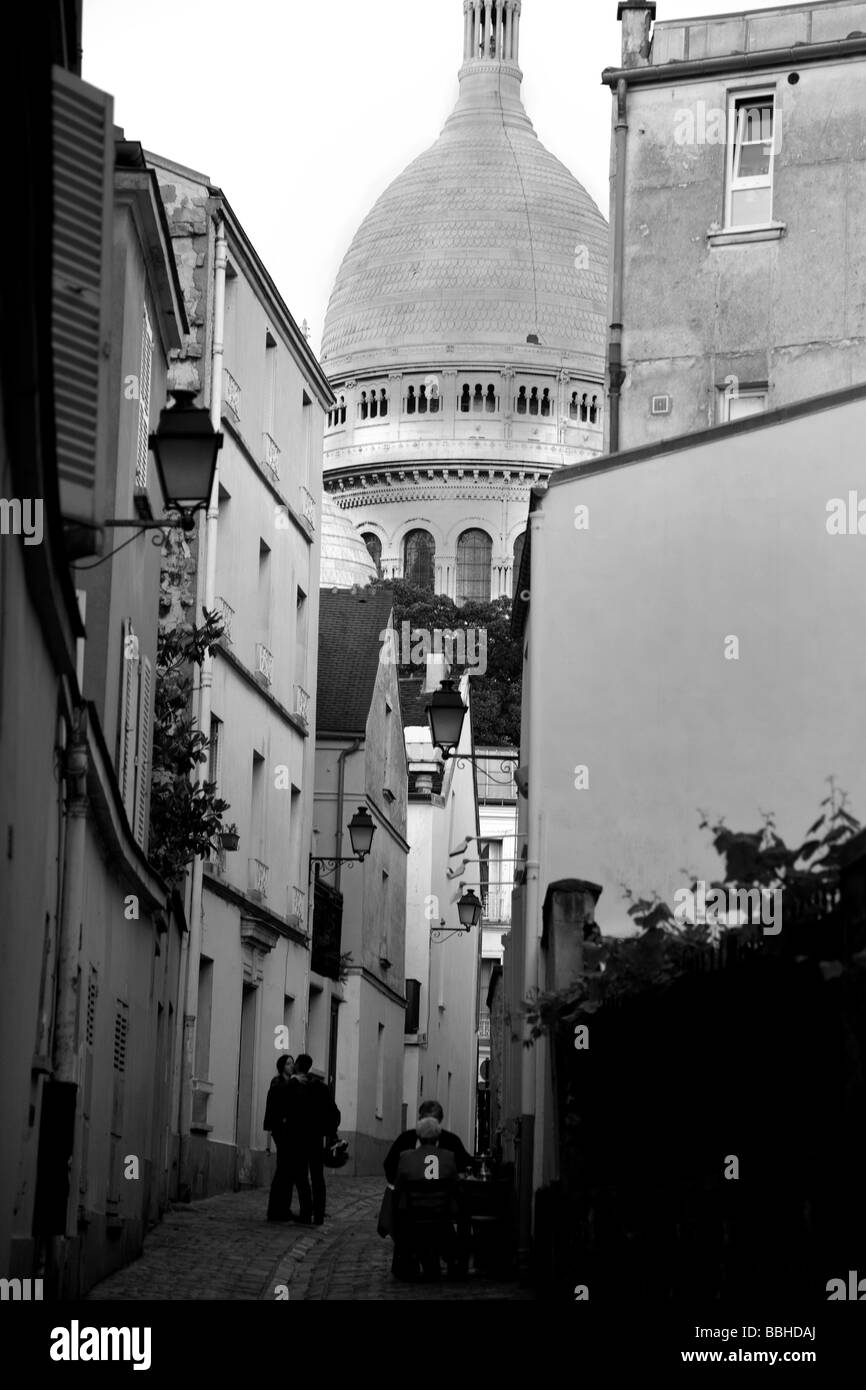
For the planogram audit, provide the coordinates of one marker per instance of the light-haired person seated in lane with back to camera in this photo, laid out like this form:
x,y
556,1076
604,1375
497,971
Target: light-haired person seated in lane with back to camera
x,y
426,1195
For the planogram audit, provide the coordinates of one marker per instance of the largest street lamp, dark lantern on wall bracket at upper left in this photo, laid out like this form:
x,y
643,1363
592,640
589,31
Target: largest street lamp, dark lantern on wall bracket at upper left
x,y
186,448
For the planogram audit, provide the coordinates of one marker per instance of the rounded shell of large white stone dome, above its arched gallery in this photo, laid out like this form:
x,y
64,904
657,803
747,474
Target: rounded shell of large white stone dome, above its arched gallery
x,y
482,244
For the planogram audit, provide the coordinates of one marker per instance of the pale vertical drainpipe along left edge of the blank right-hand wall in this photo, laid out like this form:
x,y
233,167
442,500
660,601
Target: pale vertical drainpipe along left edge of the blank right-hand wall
x,y
532,928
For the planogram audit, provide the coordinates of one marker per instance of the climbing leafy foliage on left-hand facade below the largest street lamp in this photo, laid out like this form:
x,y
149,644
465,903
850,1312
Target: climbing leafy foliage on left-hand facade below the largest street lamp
x,y
186,814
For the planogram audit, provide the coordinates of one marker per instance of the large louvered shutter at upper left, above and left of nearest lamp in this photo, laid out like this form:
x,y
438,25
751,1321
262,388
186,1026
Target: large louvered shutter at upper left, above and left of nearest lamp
x,y
81,269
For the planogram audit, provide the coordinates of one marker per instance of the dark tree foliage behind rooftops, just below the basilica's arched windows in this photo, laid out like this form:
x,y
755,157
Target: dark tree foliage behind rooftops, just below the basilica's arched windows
x,y
496,694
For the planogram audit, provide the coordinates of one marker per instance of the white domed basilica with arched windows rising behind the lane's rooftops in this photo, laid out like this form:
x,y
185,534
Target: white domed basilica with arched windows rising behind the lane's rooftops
x,y
465,338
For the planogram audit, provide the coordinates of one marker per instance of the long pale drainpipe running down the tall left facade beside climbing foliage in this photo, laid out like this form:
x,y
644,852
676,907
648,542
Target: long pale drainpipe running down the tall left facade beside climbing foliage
x,y
205,703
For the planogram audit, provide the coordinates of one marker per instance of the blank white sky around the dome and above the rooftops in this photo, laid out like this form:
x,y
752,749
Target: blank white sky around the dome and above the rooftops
x,y
302,112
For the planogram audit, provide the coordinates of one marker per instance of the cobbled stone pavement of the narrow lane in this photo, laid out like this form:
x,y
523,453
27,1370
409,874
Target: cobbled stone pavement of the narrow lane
x,y
223,1248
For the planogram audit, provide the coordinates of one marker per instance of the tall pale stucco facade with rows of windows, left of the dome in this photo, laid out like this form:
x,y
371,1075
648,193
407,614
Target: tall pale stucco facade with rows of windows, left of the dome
x,y
256,565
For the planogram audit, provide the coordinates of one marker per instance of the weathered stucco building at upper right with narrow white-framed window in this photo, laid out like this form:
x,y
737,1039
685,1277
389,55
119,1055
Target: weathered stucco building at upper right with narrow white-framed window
x,y
737,187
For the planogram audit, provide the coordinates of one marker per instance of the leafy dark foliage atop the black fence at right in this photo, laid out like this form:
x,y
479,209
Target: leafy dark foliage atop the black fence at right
x,y
621,967
